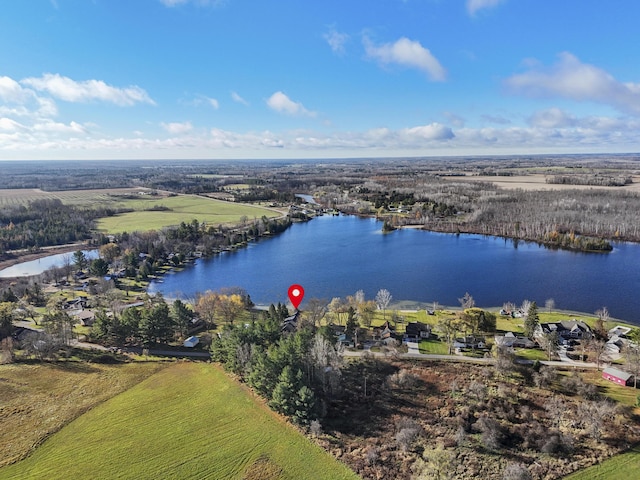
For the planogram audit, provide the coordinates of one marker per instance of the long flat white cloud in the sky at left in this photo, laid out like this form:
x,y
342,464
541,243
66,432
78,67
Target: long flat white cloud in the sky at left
x,y
70,90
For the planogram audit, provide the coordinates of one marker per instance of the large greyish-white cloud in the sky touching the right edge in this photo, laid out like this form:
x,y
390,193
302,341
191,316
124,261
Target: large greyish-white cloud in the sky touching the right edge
x,y
570,78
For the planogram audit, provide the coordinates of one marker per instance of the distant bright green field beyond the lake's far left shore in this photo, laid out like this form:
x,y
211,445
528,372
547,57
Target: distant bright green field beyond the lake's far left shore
x,y
181,208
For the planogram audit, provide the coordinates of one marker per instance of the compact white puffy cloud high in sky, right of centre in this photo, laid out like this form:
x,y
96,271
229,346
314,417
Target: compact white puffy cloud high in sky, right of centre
x,y
408,53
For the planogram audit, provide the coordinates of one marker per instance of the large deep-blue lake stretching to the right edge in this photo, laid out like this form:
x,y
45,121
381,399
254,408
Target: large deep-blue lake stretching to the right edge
x,y
336,256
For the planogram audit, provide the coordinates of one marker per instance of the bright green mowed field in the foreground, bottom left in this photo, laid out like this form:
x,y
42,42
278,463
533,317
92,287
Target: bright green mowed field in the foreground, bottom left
x,y
187,421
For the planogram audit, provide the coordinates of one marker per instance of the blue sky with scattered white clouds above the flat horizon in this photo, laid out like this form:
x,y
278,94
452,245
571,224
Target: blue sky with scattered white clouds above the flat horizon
x,y
123,79
